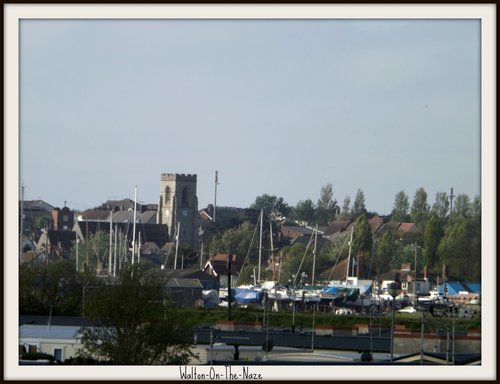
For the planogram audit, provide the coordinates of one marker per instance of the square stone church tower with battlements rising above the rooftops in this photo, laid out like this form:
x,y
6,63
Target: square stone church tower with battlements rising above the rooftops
x,y
178,207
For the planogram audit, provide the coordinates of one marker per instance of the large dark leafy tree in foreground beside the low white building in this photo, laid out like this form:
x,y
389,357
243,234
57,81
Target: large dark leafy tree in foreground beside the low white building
x,y
134,323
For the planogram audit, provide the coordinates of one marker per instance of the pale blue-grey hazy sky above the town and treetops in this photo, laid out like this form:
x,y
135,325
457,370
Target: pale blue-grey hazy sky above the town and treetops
x,y
276,106
